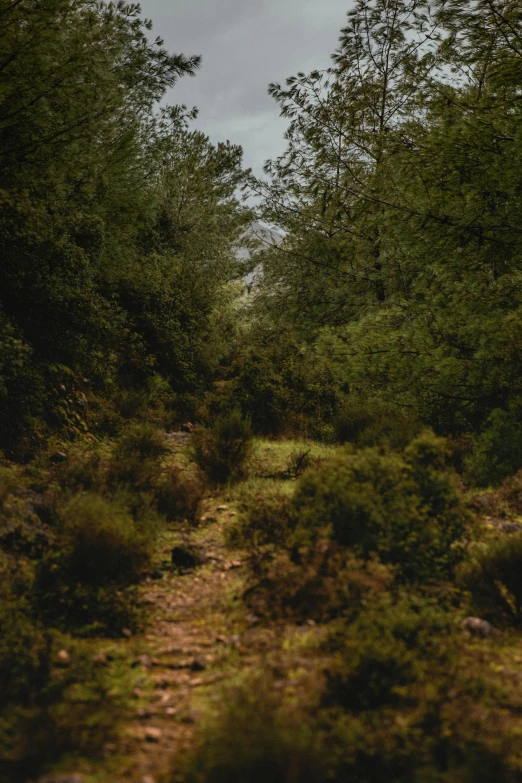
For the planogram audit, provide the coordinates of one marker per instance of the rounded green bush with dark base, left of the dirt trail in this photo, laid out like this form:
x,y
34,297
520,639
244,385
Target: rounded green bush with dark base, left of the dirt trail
x,y
85,581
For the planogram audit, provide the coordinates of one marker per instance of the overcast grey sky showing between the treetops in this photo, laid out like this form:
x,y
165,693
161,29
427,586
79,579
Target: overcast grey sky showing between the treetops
x,y
245,45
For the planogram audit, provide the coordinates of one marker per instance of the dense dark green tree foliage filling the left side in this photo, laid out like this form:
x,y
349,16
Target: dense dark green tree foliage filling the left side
x,y
110,212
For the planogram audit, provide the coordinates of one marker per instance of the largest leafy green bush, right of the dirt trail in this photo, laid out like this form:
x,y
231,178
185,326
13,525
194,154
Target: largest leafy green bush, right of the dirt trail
x,y
406,508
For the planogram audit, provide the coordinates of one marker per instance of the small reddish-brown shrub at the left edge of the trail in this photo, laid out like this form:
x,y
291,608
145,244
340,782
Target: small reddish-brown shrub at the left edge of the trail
x,y
178,494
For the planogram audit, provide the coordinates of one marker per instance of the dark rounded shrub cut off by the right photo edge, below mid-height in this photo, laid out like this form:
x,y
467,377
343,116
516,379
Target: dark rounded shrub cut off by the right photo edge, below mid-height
x,y
495,579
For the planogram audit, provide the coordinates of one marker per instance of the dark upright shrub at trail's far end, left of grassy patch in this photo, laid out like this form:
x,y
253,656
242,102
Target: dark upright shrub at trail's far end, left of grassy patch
x,y
222,450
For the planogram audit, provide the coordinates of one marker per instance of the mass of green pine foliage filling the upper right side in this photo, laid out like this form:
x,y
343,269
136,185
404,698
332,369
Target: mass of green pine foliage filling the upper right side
x,y
397,201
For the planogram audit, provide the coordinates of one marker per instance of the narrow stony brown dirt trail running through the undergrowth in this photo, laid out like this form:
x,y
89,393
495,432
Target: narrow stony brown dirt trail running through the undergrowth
x,y
193,642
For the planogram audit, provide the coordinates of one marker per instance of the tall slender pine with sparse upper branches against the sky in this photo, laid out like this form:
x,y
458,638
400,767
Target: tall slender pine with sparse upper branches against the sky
x,y
333,189
